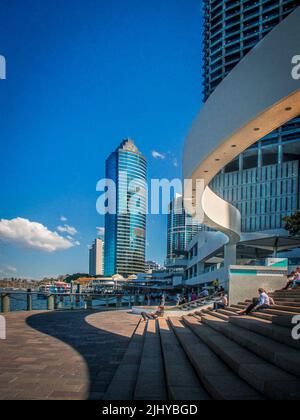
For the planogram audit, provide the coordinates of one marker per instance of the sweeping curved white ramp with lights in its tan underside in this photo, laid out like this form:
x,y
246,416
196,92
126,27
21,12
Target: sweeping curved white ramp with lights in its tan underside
x,y
258,96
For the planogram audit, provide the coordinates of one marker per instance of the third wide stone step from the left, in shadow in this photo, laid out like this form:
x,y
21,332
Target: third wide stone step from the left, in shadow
x,y
182,381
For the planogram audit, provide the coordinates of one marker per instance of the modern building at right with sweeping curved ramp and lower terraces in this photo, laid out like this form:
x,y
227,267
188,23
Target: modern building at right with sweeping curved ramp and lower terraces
x,y
251,177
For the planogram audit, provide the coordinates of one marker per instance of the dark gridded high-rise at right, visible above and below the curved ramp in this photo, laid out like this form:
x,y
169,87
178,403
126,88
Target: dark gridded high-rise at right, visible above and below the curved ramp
x,y
264,181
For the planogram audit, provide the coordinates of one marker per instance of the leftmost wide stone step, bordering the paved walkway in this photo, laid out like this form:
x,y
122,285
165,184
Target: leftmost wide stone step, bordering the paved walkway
x,y
122,386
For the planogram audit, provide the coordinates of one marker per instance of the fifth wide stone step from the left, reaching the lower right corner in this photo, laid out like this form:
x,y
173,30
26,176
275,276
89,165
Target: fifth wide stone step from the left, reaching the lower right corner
x,y
269,380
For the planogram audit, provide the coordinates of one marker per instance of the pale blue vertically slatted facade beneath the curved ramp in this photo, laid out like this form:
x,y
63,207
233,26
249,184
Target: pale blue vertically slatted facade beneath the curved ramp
x,y
263,195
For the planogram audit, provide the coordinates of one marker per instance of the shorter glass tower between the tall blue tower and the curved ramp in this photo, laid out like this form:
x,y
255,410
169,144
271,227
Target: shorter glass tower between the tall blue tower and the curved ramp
x,y
181,229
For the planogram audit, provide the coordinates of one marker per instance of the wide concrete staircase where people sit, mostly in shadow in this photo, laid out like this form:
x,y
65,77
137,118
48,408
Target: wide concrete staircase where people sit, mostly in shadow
x,y
214,355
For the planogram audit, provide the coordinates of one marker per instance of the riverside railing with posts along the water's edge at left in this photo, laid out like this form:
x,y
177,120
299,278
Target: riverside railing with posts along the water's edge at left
x,y
11,301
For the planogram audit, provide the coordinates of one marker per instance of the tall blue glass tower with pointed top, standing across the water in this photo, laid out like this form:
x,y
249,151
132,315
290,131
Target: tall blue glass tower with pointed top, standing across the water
x,y
125,231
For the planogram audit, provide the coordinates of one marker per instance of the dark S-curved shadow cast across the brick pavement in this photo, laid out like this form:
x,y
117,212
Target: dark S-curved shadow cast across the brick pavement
x,y
101,350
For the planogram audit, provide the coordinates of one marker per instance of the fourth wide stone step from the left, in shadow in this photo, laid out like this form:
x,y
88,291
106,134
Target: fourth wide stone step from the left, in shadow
x,y
219,380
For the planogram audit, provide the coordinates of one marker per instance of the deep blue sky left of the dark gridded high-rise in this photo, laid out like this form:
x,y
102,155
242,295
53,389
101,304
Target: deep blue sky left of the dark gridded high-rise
x,y
81,76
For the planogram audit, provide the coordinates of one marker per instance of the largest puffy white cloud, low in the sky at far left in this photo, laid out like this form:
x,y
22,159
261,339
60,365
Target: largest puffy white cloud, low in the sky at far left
x,y
33,235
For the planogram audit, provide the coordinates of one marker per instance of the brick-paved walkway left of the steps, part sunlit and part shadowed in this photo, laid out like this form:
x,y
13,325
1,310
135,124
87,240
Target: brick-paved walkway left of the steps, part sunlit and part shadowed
x,y
62,355
